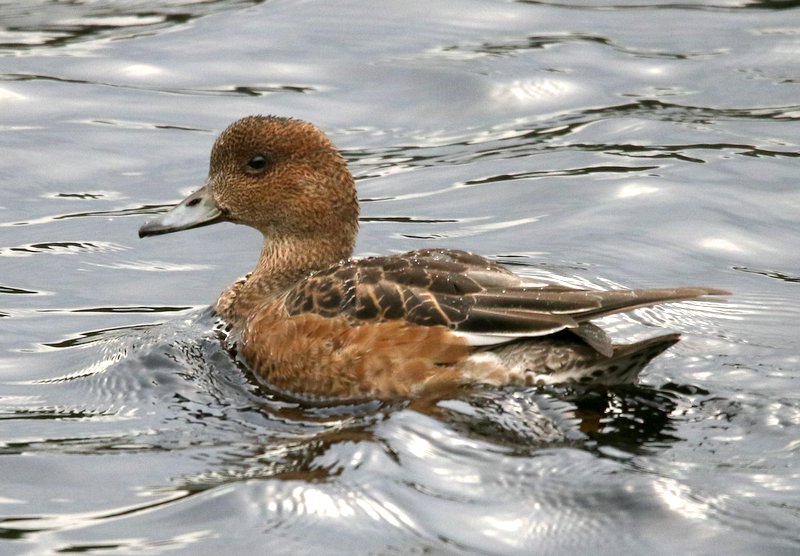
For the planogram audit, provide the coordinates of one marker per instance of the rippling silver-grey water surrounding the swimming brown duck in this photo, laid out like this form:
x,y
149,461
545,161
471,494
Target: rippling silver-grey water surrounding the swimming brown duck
x,y
598,144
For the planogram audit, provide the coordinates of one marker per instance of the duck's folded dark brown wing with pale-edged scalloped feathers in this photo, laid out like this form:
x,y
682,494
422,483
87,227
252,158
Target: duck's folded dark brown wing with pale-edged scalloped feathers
x,y
471,295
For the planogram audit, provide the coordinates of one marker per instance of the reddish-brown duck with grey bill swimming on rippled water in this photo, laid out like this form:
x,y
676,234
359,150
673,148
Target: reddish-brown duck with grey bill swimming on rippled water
x,y
314,322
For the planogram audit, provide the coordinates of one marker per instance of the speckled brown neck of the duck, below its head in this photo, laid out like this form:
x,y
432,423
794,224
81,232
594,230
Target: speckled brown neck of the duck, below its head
x,y
281,265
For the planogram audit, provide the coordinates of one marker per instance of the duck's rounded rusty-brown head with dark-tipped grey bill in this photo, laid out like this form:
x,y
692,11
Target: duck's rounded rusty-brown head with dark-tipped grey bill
x,y
280,176
